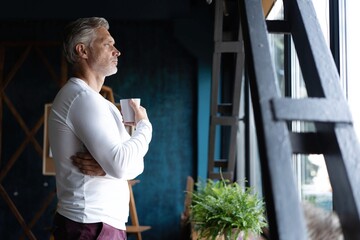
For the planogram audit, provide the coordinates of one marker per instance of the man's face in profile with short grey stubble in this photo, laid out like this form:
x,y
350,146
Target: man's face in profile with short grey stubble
x,y
103,56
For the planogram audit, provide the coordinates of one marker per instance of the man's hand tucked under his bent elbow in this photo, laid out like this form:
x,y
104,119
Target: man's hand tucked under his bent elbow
x,y
87,164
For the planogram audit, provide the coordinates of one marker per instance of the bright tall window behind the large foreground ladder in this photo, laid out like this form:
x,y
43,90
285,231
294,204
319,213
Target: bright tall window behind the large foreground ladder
x,y
310,170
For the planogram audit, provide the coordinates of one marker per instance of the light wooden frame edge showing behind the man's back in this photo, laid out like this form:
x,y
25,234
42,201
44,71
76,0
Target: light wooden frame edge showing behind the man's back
x,y
48,163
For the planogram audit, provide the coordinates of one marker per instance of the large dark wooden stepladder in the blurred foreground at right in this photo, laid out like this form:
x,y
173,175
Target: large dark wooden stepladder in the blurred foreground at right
x,y
325,106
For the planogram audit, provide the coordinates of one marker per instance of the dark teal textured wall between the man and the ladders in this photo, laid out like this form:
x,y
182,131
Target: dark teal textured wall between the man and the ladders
x,y
157,68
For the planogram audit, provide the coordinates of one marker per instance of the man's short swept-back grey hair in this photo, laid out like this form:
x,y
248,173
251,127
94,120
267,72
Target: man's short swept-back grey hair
x,y
80,31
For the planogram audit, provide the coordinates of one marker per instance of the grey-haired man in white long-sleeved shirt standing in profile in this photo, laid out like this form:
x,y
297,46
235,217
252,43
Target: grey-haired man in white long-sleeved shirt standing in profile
x,y
93,200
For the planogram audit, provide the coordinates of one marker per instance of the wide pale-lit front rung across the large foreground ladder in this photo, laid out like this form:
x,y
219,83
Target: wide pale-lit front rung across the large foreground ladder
x,y
311,109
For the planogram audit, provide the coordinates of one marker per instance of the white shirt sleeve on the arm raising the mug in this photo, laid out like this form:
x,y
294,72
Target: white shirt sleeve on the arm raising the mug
x,y
106,138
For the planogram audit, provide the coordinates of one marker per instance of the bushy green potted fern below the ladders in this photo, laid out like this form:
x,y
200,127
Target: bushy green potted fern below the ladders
x,y
224,210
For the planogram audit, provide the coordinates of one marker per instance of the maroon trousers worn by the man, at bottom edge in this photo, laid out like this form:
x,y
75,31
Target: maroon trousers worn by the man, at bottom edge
x,y
66,229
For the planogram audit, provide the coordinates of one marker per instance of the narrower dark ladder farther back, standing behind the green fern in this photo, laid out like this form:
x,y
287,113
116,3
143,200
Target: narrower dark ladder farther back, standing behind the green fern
x,y
228,58
